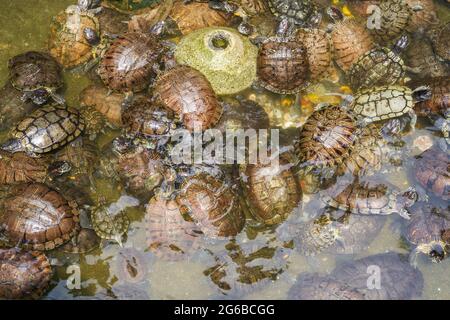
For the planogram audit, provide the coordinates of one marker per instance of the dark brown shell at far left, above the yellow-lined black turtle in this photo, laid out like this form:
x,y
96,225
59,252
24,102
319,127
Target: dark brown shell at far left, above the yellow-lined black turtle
x,y
33,70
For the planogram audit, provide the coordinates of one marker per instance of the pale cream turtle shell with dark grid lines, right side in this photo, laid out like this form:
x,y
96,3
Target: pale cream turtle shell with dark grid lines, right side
x,y
381,103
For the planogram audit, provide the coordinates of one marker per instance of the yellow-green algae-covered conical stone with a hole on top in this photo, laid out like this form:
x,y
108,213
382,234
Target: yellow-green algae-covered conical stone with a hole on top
x,y
227,59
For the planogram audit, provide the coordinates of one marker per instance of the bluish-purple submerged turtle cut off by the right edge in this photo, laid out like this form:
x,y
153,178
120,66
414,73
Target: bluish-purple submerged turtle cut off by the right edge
x,y
432,171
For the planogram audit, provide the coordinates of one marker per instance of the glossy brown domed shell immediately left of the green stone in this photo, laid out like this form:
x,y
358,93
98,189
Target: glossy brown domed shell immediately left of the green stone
x,y
128,64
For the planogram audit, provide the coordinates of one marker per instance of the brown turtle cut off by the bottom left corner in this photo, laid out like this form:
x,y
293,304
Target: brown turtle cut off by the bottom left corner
x,y
23,274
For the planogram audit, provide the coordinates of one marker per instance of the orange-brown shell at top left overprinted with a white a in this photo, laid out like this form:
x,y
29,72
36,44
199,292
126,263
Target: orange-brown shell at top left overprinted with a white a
x,y
67,43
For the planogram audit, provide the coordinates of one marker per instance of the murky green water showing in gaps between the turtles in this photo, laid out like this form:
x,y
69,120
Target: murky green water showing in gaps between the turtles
x,y
25,26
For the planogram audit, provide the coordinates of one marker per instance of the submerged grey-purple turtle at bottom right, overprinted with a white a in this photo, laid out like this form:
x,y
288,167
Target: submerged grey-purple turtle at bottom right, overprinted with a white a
x,y
397,280
